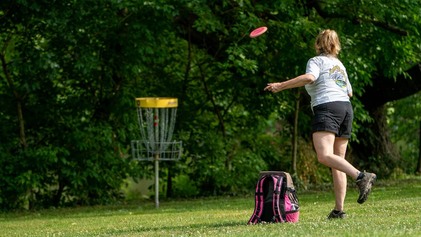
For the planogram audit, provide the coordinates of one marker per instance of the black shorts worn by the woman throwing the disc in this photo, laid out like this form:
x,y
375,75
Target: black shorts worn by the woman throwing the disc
x,y
335,117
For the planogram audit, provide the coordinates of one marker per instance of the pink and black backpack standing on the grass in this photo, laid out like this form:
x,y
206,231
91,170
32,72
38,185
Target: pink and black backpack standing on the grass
x,y
275,199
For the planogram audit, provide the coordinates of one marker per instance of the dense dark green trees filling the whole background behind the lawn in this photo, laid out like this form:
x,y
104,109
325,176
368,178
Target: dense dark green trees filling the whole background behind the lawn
x,y
72,69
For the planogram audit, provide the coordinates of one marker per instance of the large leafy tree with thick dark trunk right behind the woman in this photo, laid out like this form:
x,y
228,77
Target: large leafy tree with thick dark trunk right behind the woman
x,y
379,47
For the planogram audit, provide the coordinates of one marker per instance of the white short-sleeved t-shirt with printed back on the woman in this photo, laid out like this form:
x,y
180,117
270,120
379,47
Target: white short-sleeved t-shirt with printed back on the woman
x,y
331,82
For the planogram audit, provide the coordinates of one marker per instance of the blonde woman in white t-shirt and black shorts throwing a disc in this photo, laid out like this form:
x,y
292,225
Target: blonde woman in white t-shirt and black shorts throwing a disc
x,y
326,81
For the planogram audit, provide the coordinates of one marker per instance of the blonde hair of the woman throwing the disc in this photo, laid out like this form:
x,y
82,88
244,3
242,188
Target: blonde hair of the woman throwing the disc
x,y
327,42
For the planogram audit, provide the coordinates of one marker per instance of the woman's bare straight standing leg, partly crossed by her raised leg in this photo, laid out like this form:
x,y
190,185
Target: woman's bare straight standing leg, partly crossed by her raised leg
x,y
339,177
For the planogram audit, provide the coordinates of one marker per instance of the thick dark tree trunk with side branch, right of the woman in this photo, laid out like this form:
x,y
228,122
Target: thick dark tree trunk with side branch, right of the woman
x,y
374,150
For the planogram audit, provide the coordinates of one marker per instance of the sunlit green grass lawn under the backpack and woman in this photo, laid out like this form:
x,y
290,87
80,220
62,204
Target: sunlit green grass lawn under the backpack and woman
x,y
393,209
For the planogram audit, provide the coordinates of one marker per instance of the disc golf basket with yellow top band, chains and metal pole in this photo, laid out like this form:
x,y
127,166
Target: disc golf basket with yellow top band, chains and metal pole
x,y
156,117
